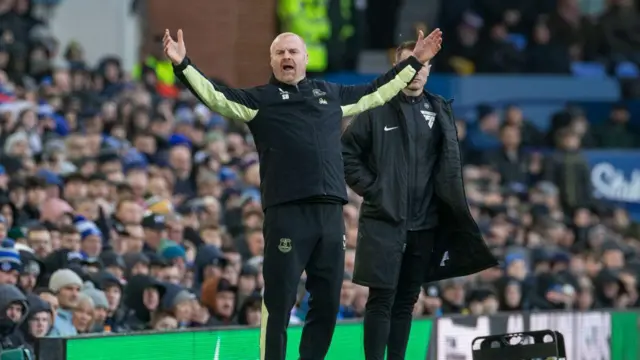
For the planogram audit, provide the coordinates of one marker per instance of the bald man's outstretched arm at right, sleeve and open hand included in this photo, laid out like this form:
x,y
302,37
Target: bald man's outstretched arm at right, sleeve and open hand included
x,y
358,98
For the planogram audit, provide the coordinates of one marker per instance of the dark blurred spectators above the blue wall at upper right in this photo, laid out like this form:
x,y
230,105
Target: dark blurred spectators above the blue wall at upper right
x,y
538,36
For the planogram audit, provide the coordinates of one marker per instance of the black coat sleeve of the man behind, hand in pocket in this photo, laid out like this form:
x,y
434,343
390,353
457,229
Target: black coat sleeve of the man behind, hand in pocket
x,y
356,147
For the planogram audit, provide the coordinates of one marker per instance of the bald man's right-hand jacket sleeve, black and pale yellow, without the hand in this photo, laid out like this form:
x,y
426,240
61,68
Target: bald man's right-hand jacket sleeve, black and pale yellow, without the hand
x,y
355,99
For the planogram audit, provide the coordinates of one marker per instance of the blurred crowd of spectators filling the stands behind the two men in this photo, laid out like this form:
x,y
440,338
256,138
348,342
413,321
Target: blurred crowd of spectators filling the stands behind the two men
x,y
126,205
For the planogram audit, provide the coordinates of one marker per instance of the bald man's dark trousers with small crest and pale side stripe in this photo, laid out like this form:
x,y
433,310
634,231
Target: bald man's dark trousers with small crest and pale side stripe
x,y
309,237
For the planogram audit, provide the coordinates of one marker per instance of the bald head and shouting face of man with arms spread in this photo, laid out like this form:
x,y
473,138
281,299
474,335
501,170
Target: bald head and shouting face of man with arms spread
x,y
289,59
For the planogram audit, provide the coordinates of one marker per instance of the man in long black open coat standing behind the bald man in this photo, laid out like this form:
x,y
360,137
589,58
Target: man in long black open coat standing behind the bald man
x,y
415,226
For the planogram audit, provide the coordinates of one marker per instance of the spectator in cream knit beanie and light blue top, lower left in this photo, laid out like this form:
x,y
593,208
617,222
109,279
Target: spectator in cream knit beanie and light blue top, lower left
x,y
65,284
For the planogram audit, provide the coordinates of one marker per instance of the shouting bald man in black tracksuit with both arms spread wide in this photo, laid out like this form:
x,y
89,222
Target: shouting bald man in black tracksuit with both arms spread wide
x,y
296,125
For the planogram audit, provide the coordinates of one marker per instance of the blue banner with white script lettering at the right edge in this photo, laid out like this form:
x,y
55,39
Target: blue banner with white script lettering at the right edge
x,y
615,176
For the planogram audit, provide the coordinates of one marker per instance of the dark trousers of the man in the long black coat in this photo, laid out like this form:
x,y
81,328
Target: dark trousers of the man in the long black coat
x,y
387,319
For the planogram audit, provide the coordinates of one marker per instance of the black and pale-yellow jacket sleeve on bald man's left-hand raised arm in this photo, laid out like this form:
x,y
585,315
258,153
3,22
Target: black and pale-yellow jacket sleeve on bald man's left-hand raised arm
x,y
237,104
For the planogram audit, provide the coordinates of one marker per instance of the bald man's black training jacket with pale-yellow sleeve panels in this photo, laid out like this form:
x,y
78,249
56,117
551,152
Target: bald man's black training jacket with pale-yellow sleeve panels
x,y
297,128
